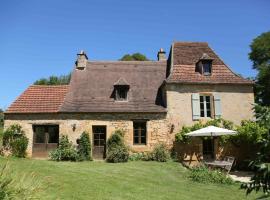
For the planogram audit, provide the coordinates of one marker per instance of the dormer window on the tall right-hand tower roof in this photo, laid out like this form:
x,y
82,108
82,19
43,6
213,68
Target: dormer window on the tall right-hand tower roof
x,y
204,65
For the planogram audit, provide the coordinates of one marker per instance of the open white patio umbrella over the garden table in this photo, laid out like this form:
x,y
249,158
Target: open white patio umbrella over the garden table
x,y
211,131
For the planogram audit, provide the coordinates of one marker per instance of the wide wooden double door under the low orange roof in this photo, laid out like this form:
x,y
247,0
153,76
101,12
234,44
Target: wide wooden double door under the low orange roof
x,y
46,139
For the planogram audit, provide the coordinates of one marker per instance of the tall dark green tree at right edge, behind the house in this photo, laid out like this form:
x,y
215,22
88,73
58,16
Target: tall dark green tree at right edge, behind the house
x,y
260,56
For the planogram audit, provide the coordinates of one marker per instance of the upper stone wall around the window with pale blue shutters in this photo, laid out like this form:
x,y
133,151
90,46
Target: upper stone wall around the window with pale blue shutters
x,y
236,102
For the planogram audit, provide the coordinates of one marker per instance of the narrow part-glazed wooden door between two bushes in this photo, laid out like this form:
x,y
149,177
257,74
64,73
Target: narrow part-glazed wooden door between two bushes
x,y
99,148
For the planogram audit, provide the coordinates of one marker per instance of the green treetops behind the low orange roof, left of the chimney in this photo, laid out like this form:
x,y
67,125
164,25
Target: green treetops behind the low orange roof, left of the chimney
x,y
54,80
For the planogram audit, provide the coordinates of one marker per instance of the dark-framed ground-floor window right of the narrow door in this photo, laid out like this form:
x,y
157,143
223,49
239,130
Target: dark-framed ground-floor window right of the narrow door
x,y
139,133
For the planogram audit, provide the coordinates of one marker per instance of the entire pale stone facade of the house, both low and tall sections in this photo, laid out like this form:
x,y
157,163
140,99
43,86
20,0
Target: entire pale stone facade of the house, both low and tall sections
x,y
236,103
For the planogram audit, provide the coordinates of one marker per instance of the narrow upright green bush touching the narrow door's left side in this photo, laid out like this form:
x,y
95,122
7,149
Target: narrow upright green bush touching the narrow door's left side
x,y
84,147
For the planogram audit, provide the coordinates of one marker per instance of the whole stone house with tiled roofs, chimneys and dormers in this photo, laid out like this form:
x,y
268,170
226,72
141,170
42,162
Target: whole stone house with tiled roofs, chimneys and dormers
x,y
149,100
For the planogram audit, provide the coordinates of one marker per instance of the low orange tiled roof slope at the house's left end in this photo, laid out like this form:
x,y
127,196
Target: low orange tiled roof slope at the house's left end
x,y
39,99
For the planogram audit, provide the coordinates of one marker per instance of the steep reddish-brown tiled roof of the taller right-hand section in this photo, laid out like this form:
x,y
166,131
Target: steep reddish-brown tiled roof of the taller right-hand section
x,y
185,55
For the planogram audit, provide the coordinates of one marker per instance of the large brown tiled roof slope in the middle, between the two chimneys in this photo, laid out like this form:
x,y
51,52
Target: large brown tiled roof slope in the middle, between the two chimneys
x,y
91,89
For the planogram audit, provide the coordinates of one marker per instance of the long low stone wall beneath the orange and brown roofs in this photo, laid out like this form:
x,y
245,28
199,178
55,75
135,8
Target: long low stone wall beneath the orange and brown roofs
x,y
158,128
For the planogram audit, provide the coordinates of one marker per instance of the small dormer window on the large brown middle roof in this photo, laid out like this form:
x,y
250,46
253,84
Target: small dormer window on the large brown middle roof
x,y
121,88
